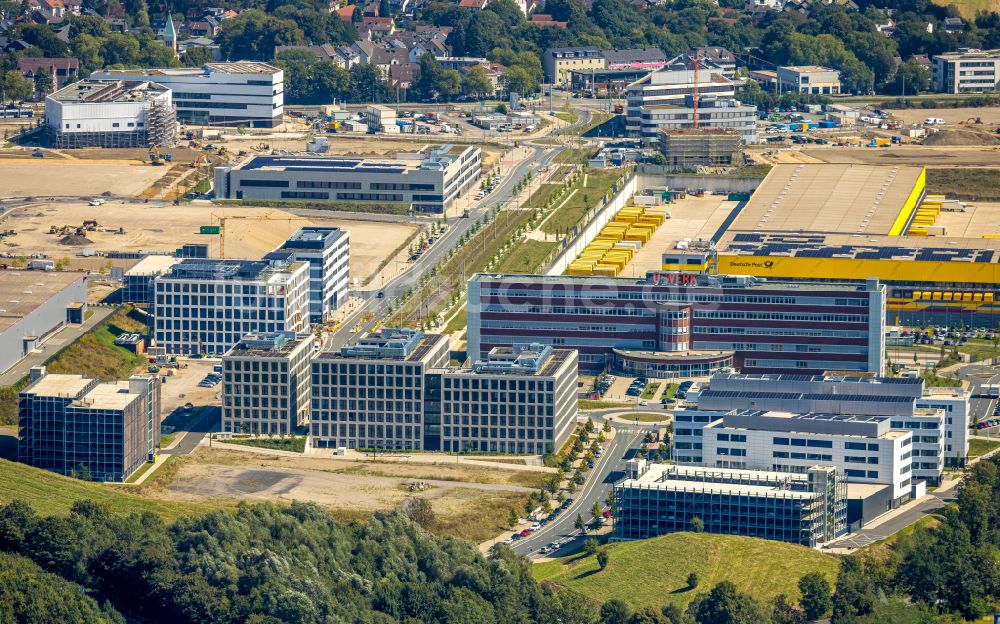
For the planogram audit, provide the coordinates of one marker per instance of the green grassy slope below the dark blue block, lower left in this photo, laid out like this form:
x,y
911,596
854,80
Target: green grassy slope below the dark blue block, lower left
x,y
51,494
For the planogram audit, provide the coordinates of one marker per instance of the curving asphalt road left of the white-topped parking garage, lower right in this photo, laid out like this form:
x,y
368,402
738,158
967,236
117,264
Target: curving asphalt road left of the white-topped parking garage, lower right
x,y
609,469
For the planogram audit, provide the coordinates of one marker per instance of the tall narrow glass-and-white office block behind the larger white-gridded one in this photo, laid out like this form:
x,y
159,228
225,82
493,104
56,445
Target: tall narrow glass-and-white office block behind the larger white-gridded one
x,y
328,252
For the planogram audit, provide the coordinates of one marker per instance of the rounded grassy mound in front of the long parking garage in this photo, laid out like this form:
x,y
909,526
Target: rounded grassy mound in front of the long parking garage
x,y
654,572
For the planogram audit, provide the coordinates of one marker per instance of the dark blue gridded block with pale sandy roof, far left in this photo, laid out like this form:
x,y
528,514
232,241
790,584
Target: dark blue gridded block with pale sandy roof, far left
x,y
73,425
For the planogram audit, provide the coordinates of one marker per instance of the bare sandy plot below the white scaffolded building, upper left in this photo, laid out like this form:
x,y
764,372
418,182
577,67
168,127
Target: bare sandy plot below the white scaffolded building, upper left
x,y
62,177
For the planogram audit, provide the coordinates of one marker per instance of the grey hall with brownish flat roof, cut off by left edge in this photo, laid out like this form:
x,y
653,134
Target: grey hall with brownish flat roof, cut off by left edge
x,y
33,307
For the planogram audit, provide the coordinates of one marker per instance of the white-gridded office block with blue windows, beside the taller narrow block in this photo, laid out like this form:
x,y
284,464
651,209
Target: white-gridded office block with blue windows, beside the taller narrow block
x,y
206,306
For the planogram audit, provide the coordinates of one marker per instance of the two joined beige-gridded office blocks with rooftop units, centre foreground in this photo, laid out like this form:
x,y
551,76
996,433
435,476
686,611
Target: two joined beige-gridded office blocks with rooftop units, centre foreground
x,y
395,390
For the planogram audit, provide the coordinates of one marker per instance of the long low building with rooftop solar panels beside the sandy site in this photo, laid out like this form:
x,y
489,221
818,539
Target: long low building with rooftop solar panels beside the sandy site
x,y
426,181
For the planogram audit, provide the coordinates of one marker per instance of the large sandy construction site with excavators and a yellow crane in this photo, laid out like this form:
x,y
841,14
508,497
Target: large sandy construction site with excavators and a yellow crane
x,y
162,226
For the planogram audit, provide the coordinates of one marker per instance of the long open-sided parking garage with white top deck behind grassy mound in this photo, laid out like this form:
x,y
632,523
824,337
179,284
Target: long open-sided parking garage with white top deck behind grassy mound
x,y
807,508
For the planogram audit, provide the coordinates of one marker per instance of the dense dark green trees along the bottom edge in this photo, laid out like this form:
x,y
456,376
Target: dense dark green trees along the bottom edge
x,y
270,563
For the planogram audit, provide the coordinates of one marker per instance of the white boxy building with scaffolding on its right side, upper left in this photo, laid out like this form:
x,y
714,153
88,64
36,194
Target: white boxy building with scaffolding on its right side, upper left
x,y
110,113
